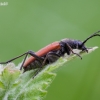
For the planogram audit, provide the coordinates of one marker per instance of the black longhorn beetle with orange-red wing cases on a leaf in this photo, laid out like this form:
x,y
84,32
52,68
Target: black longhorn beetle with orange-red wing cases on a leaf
x,y
51,53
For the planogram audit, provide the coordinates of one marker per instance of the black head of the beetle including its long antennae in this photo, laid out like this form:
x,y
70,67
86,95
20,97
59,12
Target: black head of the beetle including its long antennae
x,y
81,45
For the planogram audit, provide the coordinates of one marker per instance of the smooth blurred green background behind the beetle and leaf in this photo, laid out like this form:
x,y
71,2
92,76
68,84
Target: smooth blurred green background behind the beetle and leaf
x,y
30,25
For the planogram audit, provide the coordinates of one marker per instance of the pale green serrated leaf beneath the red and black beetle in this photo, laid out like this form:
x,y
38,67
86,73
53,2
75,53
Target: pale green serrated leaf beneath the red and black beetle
x,y
15,85
